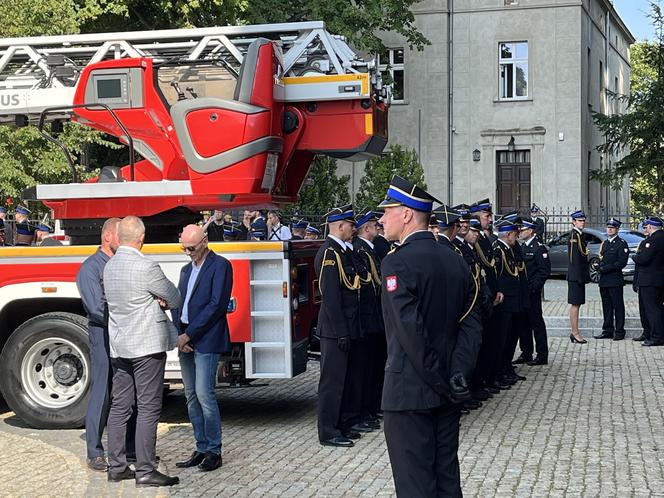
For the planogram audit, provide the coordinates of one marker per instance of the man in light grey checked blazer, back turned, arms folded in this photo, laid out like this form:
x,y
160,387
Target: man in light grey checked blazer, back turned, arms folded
x,y
140,333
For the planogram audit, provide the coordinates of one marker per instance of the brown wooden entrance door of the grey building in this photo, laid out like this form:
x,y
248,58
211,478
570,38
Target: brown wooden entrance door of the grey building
x,y
513,173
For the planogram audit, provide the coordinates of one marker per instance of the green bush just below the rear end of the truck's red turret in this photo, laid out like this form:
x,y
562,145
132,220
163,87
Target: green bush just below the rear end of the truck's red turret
x,y
323,190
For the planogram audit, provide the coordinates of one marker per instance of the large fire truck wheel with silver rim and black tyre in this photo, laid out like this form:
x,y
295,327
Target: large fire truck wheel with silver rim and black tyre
x,y
45,371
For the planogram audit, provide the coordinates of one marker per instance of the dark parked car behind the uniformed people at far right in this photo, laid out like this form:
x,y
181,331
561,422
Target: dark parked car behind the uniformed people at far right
x,y
593,237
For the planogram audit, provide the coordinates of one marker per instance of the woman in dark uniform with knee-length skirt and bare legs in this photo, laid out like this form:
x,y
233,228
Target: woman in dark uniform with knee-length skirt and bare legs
x,y
578,273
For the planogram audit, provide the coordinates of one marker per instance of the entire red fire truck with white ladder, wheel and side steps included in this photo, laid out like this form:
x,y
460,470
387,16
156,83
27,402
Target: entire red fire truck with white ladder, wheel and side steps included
x,y
219,118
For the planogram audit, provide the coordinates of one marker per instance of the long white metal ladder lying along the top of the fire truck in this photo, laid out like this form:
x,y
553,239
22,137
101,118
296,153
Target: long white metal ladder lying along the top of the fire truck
x,y
42,72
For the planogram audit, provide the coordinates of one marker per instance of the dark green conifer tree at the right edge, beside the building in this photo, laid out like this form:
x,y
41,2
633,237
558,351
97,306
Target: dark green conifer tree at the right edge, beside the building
x,y
640,131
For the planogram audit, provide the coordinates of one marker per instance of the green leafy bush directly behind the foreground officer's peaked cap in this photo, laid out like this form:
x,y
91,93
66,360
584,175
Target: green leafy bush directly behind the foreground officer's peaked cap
x,y
379,171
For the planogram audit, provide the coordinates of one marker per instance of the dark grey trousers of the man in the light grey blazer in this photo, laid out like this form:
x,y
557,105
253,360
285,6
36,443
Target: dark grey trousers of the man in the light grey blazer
x,y
140,381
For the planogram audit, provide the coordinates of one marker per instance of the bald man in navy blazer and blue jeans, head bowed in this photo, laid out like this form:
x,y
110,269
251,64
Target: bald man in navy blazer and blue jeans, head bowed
x,y
205,285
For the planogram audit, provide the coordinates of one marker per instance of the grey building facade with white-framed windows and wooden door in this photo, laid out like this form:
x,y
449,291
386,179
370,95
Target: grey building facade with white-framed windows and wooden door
x,y
517,124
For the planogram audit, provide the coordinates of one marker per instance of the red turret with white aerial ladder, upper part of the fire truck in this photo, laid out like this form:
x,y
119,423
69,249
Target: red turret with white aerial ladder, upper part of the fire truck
x,y
220,117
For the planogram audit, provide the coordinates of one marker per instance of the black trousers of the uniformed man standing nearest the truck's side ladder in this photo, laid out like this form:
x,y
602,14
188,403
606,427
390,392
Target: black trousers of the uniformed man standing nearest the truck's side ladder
x,y
333,366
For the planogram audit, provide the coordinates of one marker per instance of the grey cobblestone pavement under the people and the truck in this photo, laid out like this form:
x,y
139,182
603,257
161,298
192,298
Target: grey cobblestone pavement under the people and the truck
x,y
588,424
